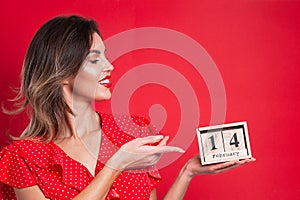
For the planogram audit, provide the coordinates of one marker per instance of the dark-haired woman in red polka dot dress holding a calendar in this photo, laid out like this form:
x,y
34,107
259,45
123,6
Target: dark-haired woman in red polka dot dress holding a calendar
x,y
69,151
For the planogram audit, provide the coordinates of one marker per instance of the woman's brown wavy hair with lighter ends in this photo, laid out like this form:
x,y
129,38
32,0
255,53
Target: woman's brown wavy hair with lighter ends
x,y
56,53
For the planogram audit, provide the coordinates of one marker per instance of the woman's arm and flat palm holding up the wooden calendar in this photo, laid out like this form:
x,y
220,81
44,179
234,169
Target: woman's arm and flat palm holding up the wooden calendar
x,y
193,168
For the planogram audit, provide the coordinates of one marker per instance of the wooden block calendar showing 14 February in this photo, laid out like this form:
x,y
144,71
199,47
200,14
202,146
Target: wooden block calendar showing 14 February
x,y
223,143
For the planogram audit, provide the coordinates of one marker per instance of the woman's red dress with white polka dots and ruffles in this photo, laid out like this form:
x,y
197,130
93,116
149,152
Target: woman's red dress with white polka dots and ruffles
x,y
27,163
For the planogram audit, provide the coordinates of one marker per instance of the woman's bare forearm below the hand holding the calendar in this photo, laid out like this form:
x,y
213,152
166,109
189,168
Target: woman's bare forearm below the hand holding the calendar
x,y
179,187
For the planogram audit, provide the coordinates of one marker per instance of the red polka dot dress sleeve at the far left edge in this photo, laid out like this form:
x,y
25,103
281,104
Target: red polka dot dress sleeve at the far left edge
x,y
14,170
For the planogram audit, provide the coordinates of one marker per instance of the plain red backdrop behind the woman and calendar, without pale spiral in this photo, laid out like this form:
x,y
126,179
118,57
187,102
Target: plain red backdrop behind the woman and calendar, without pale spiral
x,y
255,45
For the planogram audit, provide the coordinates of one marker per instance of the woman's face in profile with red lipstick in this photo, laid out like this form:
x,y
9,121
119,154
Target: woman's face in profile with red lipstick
x,y
93,79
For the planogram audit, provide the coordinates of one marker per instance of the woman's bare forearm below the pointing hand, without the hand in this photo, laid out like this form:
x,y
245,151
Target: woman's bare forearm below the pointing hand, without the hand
x,y
100,186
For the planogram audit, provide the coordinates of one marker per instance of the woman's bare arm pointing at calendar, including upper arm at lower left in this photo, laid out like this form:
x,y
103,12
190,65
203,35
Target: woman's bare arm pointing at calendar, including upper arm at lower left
x,y
134,154
